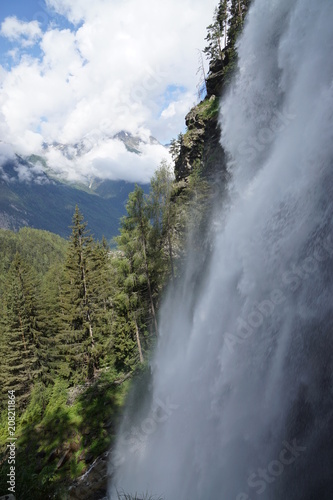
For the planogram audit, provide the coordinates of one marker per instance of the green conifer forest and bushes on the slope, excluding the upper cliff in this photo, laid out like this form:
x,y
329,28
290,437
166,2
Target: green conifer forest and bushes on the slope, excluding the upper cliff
x,y
76,321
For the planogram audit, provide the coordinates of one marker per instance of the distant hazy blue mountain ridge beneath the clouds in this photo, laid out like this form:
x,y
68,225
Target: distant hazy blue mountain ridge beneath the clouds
x,y
29,196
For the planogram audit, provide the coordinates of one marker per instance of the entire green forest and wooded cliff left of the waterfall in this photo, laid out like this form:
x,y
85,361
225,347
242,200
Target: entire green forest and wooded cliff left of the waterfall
x,y
79,320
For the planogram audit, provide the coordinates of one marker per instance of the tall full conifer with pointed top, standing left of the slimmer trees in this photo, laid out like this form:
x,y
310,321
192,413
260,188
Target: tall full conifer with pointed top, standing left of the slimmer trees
x,y
84,303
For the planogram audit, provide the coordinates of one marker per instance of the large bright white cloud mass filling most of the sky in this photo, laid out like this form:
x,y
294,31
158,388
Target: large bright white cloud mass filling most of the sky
x,y
110,73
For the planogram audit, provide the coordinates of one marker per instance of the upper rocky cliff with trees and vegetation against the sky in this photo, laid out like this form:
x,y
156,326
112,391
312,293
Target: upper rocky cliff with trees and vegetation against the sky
x,y
199,148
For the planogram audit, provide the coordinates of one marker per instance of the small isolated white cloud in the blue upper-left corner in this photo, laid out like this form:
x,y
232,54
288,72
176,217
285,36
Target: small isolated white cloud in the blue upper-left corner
x,y
15,30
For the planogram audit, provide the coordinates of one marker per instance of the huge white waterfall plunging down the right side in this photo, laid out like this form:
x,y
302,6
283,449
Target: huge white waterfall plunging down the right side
x,y
242,394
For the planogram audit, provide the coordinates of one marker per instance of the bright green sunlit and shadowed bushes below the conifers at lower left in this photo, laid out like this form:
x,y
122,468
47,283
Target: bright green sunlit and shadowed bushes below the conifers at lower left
x,y
61,422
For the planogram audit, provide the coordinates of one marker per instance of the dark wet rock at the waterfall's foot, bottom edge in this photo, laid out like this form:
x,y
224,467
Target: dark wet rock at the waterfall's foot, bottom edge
x,y
93,484
